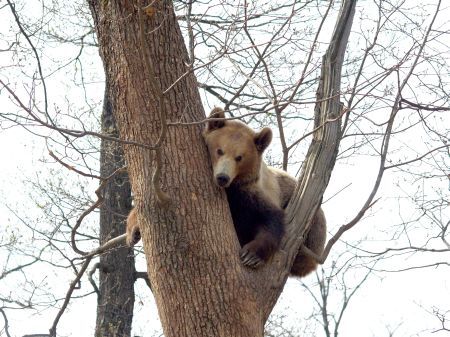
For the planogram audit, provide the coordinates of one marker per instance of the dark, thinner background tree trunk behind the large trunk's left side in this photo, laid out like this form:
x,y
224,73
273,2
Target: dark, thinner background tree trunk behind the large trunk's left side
x,y
116,268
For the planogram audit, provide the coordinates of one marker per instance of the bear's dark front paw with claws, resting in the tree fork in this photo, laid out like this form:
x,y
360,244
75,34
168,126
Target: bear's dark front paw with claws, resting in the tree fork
x,y
255,253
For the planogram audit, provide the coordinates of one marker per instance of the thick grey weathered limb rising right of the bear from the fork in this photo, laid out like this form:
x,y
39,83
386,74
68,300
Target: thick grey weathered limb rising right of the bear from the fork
x,y
322,153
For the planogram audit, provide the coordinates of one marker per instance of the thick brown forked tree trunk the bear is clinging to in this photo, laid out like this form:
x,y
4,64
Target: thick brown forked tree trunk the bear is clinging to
x,y
200,287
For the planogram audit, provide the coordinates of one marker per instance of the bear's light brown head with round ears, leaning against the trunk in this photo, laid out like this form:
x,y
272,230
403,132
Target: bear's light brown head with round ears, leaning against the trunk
x,y
235,149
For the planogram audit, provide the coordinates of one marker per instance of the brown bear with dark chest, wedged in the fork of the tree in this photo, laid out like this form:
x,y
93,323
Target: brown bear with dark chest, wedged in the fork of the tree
x,y
257,193
